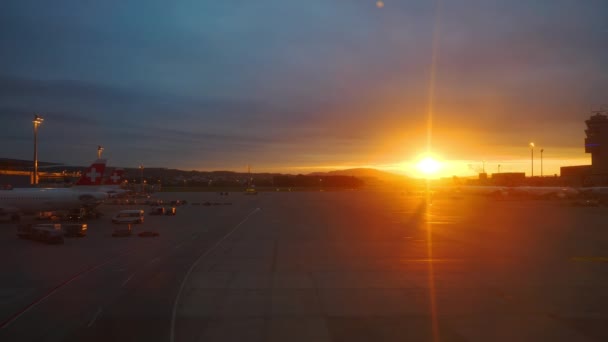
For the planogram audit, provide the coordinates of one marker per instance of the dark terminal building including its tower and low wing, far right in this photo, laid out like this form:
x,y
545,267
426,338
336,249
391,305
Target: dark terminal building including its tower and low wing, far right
x,y
596,143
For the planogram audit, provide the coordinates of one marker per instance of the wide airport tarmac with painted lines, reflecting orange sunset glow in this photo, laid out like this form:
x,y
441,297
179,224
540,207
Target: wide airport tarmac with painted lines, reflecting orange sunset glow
x,y
318,266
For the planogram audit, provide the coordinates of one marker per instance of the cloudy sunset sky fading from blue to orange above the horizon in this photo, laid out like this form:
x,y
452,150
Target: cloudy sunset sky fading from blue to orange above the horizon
x,y
300,86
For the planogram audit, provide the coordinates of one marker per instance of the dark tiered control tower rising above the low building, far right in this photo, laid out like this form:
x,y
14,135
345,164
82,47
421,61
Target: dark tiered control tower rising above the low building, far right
x,y
596,141
